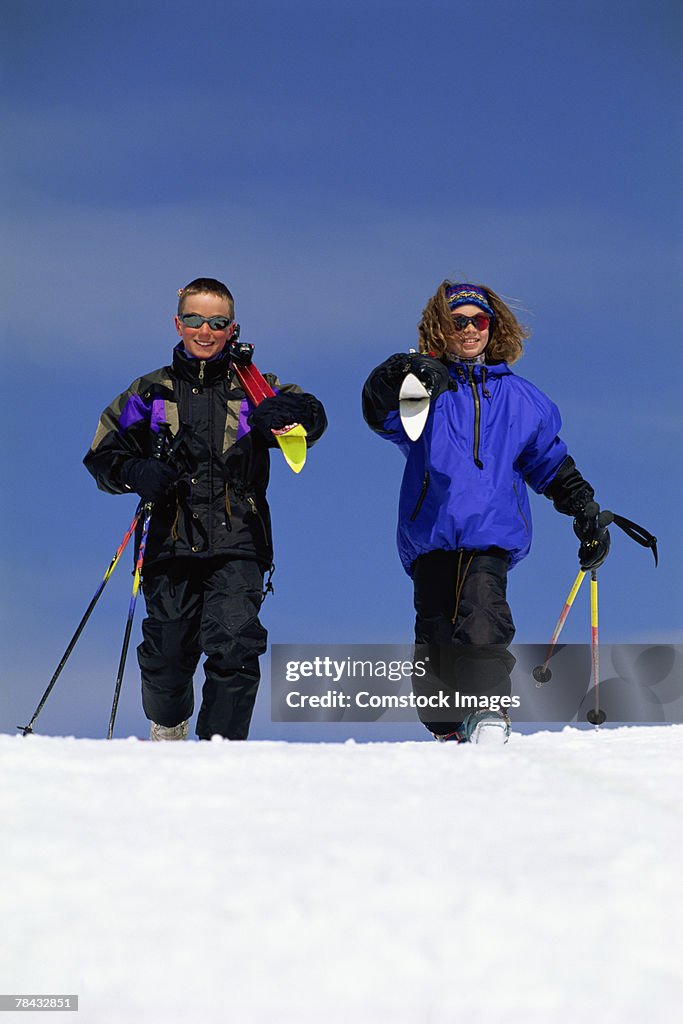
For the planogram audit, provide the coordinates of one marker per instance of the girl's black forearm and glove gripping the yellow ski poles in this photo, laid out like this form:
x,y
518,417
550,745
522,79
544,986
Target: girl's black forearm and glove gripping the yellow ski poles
x,y
572,495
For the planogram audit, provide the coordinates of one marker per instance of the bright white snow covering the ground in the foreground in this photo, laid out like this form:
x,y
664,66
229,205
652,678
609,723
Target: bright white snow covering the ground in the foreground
x,y
409,882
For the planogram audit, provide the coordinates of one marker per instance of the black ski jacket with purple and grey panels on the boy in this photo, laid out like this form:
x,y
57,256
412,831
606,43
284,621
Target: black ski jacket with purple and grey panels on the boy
x,y
220,506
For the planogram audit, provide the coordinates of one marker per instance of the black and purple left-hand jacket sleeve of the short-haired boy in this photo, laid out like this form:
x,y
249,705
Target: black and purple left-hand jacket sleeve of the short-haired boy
x,y
121,437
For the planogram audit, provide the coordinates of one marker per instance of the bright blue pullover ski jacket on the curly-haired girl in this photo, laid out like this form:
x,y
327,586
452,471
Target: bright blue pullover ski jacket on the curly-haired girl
x,y
465,481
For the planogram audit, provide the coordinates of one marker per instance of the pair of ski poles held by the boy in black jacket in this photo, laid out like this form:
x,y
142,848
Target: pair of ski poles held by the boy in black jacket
x,y
145,510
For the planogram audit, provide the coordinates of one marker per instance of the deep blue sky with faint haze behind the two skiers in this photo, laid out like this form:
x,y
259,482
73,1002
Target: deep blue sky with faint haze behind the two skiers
x,y
333,163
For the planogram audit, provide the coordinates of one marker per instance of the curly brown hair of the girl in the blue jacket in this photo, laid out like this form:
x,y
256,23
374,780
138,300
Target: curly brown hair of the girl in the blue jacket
x,y
436,329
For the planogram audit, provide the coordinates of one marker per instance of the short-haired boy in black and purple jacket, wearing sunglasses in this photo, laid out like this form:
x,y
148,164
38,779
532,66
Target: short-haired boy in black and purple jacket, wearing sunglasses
x,y
210,541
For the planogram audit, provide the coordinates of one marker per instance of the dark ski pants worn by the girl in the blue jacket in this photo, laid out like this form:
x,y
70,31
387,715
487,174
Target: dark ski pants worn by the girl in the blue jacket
x,y
464,627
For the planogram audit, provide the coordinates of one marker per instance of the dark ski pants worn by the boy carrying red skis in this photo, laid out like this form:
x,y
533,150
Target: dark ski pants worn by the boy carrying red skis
x,y
200,606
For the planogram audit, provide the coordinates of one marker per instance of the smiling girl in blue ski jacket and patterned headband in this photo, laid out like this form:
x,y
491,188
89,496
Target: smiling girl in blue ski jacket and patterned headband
x,y
464,517
